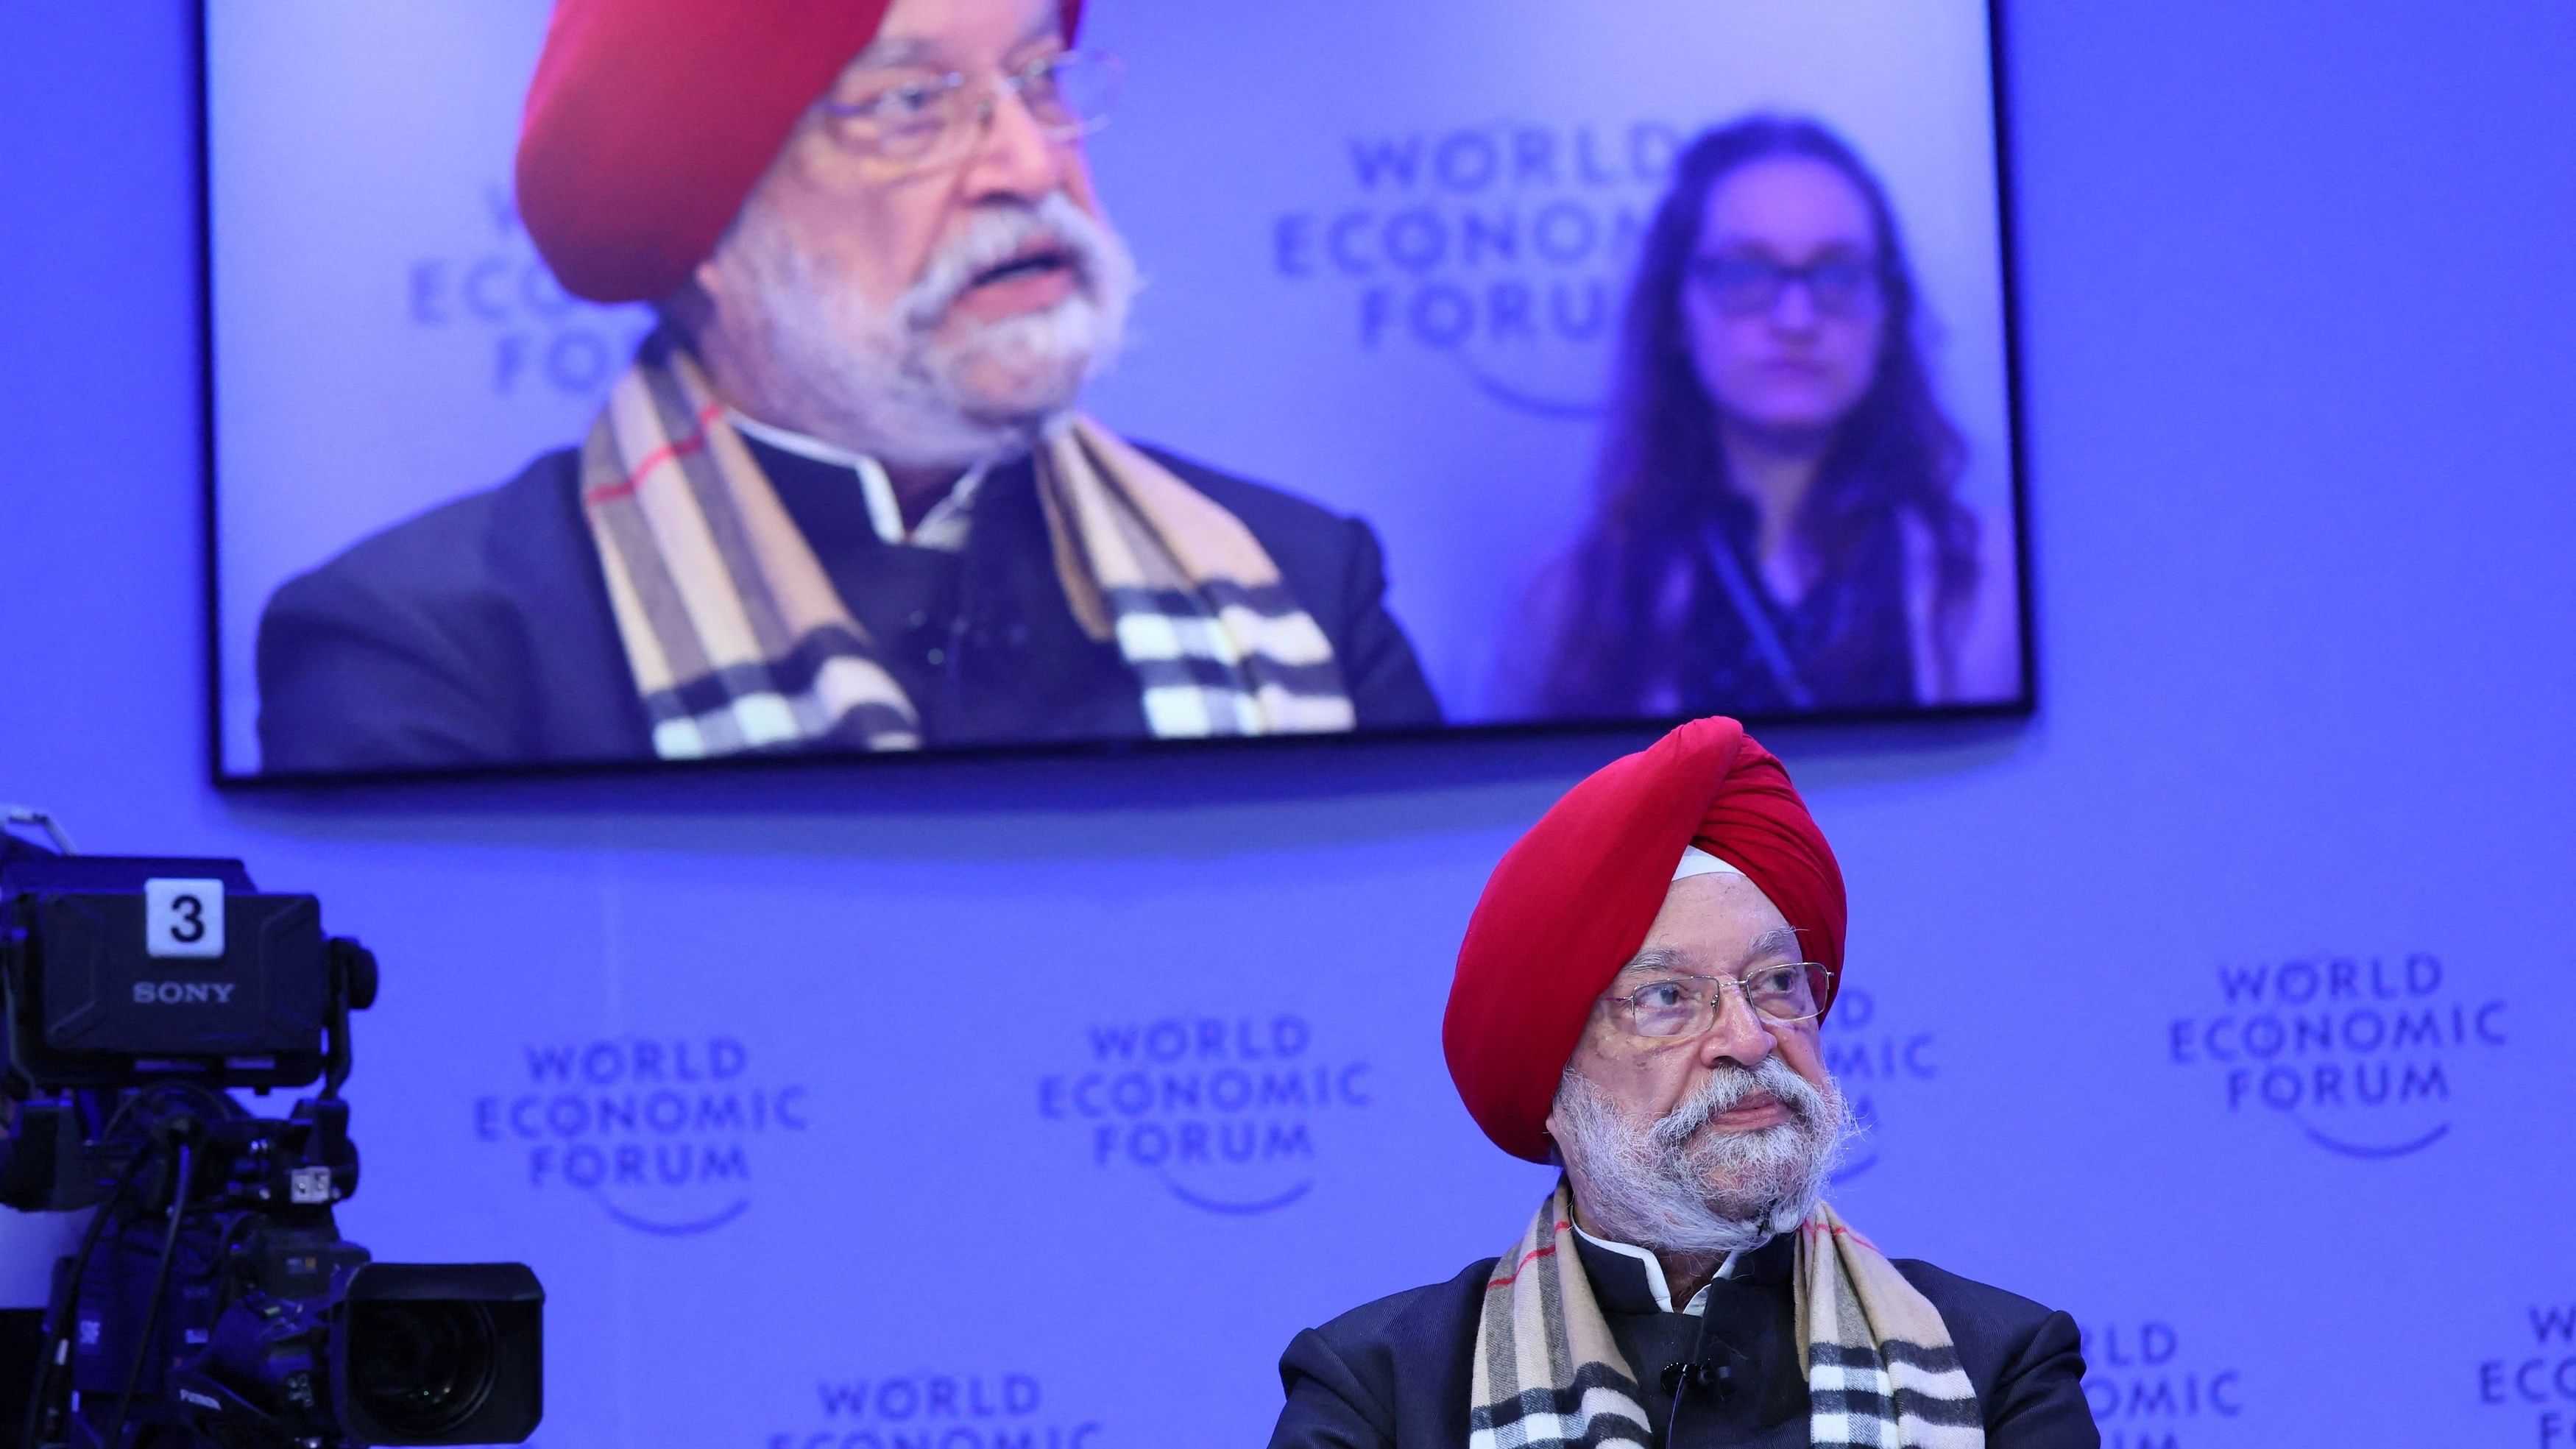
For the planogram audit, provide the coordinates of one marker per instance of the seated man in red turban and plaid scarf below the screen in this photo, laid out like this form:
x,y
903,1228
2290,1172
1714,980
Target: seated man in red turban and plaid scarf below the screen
x,y
1640,1002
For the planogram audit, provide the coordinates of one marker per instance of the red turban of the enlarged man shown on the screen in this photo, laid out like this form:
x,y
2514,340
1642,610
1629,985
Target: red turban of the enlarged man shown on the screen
x,y
650,122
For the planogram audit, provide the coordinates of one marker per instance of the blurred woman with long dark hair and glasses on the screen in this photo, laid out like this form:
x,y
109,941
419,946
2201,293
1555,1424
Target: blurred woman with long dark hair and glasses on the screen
x,y
1776,524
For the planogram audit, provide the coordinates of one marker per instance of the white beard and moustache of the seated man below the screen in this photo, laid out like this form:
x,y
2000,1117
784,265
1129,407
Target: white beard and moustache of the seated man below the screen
x,y
1678,1190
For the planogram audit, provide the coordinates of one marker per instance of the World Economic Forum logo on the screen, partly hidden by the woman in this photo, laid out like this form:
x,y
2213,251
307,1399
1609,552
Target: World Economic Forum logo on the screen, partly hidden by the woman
x,y
1501,246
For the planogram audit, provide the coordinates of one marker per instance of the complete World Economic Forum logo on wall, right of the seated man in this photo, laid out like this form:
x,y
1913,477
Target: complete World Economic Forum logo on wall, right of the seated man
x,y
2361,1054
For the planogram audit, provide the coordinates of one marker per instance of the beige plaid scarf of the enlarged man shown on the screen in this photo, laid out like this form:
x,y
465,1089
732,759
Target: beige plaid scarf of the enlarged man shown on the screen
x,y
738,640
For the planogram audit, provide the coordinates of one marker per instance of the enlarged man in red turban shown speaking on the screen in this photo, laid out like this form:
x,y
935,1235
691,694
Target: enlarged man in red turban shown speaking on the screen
x,y
844,498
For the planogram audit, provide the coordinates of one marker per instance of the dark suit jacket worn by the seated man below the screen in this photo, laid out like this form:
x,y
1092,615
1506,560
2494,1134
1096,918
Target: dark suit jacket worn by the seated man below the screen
x,y
1395,1373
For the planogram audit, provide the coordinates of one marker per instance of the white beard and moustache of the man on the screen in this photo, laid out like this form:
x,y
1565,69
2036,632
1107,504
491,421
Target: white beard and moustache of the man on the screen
x,y
877,380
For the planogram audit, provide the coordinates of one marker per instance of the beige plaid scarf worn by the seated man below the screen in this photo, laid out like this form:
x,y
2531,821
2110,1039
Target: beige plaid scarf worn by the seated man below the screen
x,y
1877,1355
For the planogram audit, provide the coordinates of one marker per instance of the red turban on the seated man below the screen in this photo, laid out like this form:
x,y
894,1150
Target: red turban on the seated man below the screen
x,y
1573,900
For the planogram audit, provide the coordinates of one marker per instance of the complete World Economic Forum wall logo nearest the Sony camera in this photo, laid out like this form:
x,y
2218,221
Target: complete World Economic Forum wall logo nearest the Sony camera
x,y
663,1134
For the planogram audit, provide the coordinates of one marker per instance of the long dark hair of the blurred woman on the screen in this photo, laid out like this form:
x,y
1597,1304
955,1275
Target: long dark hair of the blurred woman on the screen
x,y
1640,583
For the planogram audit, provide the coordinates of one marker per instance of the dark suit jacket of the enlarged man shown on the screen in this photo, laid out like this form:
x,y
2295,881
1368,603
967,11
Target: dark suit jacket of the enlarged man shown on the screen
x,y
480,632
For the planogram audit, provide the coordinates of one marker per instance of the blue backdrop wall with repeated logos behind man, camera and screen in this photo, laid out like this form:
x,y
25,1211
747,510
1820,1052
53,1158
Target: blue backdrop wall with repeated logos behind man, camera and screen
x,y
2224,1002
